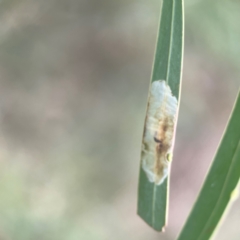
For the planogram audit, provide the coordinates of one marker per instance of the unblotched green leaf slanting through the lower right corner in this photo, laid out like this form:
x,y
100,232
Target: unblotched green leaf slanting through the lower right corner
x,y
219,186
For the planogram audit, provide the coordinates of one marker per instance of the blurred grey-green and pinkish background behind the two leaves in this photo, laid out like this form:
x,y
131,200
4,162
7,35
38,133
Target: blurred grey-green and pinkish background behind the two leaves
x,y
74,78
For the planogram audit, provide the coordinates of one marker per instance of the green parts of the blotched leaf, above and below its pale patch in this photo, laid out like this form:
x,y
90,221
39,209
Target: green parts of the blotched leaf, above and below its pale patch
x,y
153,199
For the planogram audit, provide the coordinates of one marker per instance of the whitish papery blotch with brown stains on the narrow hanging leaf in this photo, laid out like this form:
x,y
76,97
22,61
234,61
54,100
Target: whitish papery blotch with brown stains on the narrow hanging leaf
x,y
159,131
